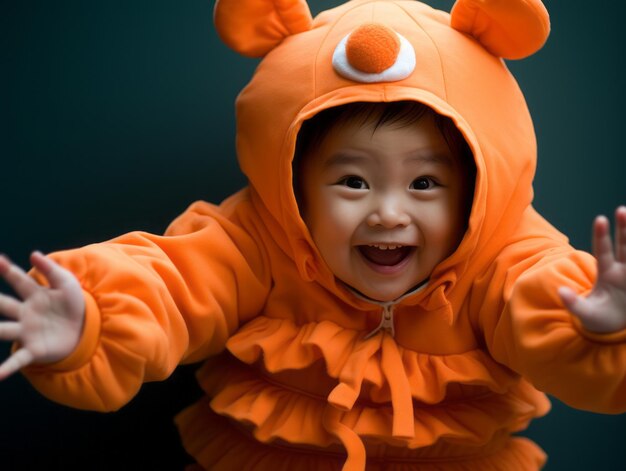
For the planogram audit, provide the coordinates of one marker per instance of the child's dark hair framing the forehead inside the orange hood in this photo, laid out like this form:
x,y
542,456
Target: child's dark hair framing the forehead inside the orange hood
x,y
400,113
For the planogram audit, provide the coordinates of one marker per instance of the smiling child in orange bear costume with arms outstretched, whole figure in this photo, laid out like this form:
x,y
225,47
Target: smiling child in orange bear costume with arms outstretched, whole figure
x,y
383,293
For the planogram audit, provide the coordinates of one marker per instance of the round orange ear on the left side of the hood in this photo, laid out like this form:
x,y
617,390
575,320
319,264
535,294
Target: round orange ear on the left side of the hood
x,y
255,27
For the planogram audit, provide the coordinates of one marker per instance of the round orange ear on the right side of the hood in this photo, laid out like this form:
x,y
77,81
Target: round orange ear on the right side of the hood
x,y
511,29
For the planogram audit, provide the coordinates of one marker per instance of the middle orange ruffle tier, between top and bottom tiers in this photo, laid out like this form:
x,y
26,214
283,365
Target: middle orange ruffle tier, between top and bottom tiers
x,y
276,413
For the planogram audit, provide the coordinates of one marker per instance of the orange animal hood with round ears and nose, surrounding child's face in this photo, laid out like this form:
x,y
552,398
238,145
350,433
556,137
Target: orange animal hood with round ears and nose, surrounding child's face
x,y
384,51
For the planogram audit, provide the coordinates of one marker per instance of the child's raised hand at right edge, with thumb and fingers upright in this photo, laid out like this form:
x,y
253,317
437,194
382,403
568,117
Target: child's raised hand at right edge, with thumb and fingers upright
x,y
604,310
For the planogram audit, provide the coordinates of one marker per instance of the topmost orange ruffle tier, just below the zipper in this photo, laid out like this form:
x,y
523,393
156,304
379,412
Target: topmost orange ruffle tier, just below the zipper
x,y
352,360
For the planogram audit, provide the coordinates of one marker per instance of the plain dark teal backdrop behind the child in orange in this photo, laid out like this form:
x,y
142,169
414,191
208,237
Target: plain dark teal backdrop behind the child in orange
x,y
114,116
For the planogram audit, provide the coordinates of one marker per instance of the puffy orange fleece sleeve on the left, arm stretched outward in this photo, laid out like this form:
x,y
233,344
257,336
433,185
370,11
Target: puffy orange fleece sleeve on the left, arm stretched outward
x,y
153,302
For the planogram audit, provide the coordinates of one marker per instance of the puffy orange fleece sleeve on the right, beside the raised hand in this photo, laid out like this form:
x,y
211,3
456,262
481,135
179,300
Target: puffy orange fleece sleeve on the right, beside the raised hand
x,y
527,328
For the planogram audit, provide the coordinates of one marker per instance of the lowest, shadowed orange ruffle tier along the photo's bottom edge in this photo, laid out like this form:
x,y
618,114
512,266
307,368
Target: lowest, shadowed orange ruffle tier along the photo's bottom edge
x,y
217,445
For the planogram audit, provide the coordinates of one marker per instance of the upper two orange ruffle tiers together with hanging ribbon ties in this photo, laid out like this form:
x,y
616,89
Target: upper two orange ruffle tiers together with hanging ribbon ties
x,y
324,386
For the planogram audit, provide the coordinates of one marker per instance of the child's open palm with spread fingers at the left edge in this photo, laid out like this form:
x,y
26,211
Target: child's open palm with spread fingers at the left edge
x,y
47,322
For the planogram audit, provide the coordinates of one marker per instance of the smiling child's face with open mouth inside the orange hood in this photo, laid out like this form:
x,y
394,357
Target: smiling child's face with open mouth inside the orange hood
x,y
384,206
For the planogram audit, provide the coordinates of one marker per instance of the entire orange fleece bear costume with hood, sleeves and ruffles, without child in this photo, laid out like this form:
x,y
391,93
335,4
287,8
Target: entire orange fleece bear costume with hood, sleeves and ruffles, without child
x,y
305,374
